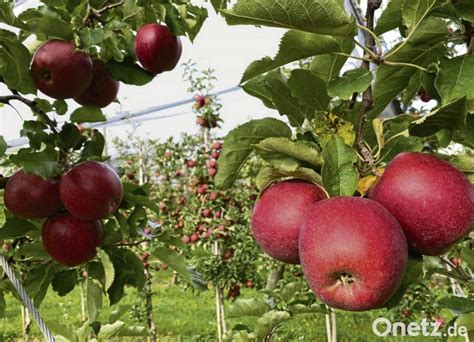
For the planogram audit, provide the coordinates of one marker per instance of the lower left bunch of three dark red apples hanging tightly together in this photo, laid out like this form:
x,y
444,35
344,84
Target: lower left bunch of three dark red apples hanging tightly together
x,y
72,205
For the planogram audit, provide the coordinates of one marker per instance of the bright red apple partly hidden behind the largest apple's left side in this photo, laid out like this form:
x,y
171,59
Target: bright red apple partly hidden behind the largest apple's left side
x,y
279,214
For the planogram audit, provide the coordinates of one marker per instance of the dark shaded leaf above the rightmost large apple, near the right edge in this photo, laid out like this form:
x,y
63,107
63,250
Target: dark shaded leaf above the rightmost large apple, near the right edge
x,y
452,116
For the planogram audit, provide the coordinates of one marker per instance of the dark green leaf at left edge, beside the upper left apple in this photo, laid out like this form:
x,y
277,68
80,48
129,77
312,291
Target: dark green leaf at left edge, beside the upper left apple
x,y
15,63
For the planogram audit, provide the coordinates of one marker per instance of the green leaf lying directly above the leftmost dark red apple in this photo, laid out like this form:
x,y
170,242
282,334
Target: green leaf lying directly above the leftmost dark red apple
x,y
44,164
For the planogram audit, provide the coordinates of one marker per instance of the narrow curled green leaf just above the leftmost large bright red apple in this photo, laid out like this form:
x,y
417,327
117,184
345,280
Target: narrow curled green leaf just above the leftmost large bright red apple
x,y
268,175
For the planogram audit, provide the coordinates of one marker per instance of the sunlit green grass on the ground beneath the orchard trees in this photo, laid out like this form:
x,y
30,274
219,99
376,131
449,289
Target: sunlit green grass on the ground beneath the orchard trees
x,y
184,316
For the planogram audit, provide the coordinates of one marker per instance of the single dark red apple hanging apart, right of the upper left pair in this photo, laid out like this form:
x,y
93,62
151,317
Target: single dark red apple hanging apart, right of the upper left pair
x,y
157,48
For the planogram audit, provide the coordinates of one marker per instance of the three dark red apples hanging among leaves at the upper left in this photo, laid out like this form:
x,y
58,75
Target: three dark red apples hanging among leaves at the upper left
x,y
60,71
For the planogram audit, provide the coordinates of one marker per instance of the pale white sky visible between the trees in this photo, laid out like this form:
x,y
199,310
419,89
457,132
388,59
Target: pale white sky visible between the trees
x,y
227,49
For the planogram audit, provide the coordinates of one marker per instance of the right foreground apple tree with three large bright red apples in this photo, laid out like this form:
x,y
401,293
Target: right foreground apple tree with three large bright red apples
x,y
377,111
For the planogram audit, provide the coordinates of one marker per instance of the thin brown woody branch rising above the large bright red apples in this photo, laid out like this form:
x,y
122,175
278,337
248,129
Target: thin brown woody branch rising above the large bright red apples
x,y
367,98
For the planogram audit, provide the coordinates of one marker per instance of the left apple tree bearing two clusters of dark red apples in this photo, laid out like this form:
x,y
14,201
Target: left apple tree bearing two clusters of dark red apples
x,y
70,220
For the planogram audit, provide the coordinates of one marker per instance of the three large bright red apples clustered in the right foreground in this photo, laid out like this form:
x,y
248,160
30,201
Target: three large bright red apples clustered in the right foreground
x,y
353,250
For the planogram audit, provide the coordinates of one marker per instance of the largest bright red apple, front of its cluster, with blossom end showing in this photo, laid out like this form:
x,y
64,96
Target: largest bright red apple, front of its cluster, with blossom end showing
x,y
353,253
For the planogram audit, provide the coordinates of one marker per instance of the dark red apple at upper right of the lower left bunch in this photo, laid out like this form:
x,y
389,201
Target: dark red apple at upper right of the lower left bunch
x,y
91,191
